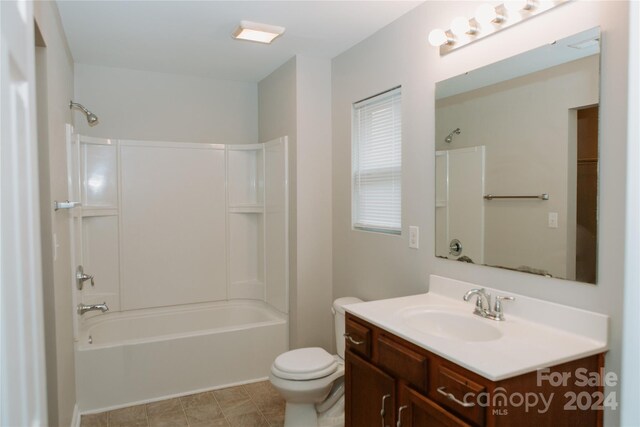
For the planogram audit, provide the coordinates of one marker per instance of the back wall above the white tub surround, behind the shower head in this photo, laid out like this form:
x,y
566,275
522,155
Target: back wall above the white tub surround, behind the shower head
x,y
143,105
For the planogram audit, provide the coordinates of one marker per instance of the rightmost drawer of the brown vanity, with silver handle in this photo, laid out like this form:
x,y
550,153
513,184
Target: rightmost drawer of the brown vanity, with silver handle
x,y
458,393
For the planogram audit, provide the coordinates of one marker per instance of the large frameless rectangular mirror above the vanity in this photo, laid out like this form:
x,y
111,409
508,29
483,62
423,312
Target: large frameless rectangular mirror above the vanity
x,y
517,161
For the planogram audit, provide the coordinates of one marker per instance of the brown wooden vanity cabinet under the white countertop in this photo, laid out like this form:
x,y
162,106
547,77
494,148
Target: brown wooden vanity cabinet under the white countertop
x,y
392,382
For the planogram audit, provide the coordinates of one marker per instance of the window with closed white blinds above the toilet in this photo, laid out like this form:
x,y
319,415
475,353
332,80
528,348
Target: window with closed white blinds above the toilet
x,y
377,163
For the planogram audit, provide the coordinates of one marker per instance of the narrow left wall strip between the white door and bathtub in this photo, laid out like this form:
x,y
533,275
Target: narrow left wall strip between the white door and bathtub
x,y
54,89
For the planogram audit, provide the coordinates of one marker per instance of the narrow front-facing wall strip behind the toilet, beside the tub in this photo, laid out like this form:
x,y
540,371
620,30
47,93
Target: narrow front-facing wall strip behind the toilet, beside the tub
x,y
313,176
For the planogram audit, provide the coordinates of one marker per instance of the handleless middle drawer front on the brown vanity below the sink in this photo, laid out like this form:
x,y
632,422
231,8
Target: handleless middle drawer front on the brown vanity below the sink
x,y
403,362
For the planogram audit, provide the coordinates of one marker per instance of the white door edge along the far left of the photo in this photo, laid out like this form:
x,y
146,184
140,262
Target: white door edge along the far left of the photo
x,y
23,399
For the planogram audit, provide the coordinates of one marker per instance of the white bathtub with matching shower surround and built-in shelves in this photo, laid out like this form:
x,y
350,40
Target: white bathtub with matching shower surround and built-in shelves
x,y
187,247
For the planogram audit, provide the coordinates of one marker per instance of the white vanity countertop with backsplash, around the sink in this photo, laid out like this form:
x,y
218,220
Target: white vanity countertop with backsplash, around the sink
x,y
535,333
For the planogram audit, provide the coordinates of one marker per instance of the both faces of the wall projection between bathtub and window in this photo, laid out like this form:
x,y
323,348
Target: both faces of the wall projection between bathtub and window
x,y
295,100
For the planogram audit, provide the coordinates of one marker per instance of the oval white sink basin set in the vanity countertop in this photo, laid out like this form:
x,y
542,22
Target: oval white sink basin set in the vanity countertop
x,y
451,325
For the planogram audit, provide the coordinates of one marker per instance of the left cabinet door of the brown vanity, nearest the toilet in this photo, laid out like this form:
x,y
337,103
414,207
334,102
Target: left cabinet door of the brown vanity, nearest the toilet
x,y
369,396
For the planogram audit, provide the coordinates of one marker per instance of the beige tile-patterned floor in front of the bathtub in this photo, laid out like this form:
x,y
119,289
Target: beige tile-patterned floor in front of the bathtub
x,y
249,405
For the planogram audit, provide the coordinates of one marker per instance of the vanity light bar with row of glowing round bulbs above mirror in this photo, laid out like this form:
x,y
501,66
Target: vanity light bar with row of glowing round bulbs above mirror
x,y
489,19
